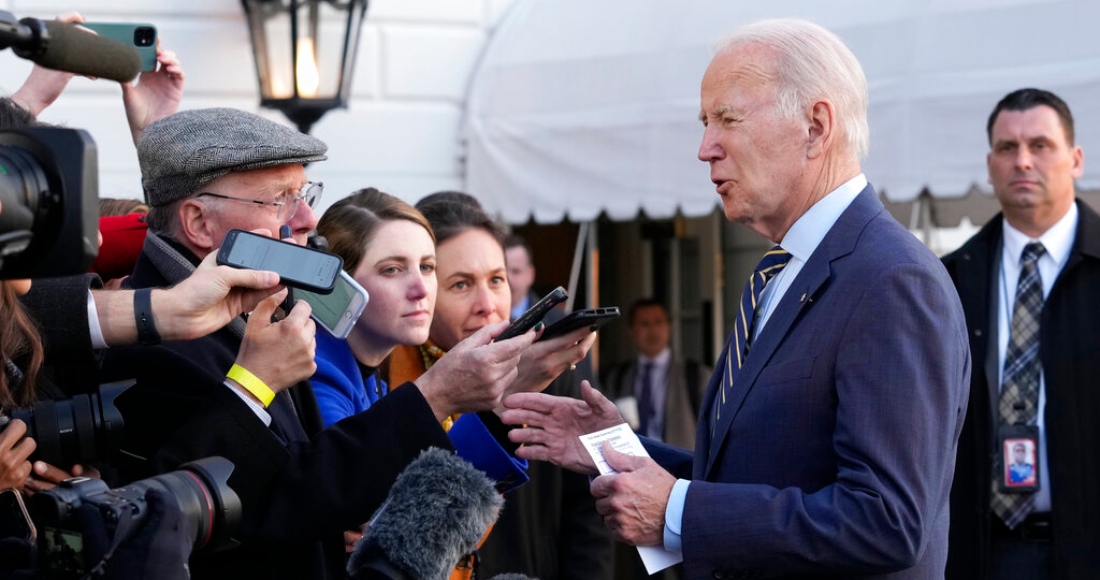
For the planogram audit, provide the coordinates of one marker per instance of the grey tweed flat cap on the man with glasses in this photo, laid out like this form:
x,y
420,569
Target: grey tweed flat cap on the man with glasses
x,y
184,152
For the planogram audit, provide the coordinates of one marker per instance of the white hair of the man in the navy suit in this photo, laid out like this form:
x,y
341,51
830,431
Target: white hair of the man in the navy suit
x,y
812,63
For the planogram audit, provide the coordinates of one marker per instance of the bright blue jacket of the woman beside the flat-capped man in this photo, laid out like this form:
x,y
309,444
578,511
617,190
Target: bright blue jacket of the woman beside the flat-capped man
x,y
342,392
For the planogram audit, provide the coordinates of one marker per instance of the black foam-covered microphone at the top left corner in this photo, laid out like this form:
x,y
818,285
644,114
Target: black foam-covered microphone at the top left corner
x,y
64,47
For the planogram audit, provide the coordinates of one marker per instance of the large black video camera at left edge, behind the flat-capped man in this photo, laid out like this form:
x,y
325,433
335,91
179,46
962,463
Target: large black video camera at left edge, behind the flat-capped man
x,y
49,195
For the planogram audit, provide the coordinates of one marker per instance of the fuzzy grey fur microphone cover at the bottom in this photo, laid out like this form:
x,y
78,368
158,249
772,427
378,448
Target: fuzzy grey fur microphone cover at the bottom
x,y
436,513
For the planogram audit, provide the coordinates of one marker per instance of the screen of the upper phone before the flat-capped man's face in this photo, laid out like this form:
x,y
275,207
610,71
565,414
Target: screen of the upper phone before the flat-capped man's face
x,y
293,262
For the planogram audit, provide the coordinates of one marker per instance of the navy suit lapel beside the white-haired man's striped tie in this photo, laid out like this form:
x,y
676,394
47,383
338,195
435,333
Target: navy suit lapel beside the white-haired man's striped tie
x,y
800,297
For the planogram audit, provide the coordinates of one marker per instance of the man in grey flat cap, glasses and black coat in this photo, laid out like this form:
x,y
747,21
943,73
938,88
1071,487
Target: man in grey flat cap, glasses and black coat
x,y
243,392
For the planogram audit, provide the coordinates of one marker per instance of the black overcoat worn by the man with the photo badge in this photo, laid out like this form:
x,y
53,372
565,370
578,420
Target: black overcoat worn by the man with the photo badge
x,y
1070,349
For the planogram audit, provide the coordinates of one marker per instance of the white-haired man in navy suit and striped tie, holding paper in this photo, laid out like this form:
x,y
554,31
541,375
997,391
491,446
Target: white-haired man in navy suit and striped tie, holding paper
x,y
828,435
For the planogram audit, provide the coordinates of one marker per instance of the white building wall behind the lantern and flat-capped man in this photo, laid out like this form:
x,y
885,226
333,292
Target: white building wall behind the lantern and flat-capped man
x,y
400,133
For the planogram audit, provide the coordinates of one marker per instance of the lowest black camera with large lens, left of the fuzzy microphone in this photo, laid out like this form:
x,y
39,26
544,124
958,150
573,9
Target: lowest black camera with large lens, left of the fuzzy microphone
x,y
211,510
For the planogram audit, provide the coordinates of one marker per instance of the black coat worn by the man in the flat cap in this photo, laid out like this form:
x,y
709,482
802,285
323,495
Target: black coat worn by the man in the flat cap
x,y
301,487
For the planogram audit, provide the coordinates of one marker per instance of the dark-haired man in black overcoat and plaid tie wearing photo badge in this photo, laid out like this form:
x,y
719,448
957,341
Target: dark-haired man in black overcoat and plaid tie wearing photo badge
x,y
1053,531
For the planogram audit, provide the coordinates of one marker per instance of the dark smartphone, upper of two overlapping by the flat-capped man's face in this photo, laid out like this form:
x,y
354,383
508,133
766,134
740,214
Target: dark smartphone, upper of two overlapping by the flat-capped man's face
x,y
298,266
